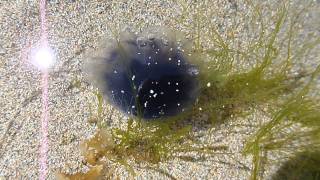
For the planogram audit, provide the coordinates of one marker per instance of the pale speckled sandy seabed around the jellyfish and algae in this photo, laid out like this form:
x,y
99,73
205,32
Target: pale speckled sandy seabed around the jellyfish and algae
x,y
76,28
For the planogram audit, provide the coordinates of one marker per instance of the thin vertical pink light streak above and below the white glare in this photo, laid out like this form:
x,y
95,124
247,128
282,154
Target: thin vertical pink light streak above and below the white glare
x,y
44,144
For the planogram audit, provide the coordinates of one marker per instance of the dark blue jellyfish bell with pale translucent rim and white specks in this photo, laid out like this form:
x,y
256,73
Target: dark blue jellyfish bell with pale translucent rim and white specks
x,y
147,75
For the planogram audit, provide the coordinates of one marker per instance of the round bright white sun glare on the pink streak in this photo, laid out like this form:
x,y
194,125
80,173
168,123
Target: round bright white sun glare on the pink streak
x,y
43,58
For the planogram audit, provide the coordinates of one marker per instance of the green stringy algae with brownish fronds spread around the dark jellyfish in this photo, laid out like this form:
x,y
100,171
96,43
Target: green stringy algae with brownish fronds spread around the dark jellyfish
x,y
227,90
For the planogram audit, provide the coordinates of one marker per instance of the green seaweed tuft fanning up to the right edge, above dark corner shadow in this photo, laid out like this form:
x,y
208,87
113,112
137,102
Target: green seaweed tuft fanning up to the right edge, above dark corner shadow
x,y
300,109
